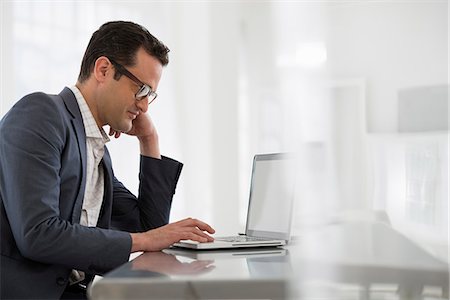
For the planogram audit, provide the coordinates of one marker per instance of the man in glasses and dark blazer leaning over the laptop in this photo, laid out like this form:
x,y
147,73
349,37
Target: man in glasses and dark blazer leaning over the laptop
x,y
64,215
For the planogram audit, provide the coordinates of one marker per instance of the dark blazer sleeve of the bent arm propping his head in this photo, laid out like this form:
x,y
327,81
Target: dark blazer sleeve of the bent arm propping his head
x,y
157,182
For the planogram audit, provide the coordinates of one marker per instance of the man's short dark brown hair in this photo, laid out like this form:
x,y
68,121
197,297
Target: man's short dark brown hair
x,y
119,41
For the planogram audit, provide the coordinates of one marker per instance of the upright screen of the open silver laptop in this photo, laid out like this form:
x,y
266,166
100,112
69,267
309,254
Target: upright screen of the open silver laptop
x,y
271,196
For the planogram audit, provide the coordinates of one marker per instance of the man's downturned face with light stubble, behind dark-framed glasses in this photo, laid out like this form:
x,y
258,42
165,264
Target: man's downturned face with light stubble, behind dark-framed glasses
x,y
118,105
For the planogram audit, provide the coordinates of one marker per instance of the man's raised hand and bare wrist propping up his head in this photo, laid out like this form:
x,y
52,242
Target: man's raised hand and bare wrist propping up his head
x,y
144,129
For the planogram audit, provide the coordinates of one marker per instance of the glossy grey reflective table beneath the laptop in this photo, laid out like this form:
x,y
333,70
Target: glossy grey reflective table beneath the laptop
x,y
342,261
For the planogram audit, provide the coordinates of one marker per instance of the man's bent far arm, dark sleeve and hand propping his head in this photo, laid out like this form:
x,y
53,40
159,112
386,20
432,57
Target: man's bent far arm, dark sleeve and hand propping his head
x,y
158,176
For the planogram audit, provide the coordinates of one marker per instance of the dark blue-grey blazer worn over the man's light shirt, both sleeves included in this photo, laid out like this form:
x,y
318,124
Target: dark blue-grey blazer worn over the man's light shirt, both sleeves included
x,y
42,183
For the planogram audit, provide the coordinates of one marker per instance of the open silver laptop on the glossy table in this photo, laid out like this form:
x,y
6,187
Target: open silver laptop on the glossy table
x,y
270,206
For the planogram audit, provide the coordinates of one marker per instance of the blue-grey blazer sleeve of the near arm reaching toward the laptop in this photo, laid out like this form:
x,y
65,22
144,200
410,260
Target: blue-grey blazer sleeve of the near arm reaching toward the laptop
x,y
33,137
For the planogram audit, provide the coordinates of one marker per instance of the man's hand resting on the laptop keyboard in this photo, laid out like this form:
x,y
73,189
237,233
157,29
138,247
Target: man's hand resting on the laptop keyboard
x,y
164,236
